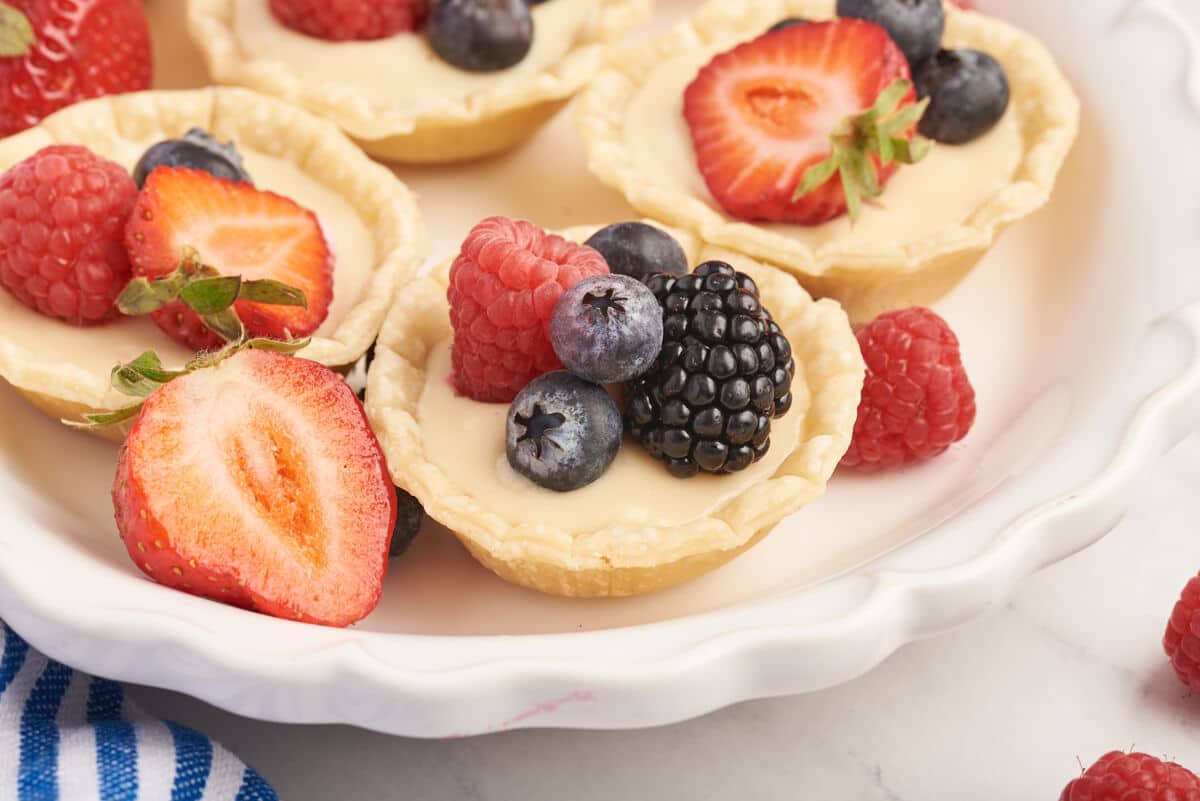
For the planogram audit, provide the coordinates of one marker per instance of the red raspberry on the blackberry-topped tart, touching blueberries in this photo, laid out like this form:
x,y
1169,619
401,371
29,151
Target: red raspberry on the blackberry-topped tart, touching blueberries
x,y
503,290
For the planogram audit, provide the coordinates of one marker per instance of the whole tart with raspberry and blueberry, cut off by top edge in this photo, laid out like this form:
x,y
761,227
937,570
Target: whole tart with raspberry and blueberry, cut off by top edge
x,y
411,81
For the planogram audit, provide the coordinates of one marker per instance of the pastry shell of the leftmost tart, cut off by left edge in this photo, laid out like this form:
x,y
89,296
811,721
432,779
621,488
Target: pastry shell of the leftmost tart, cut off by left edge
x,y
389,212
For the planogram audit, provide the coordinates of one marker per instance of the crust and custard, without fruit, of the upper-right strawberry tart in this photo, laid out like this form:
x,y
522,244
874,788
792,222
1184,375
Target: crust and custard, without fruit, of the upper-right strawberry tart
x,y
935,220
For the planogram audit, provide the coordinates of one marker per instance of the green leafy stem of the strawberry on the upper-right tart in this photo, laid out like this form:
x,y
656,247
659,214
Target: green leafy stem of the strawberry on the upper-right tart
x,y
879,131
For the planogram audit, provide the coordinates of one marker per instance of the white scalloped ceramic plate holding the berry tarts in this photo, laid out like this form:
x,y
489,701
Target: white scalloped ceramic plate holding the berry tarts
x,y
1055,326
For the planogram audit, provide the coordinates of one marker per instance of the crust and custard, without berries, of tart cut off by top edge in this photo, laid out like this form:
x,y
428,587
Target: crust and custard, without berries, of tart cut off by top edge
x,y
395,97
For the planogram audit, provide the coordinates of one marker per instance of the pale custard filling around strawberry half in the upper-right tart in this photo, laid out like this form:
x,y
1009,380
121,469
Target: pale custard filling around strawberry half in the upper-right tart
x,y
939,194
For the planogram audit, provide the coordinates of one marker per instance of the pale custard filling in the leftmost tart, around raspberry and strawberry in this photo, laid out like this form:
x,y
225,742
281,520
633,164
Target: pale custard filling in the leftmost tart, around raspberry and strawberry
x,y
97,350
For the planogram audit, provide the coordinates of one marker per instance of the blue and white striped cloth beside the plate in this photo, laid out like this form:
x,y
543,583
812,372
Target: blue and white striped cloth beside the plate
x,y
67,737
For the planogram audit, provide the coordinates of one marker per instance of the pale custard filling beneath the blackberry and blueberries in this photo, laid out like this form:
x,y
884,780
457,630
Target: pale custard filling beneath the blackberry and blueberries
x,y
466,439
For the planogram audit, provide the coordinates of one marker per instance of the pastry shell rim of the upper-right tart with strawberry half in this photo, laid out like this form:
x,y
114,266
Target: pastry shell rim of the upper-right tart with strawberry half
x,y
867,281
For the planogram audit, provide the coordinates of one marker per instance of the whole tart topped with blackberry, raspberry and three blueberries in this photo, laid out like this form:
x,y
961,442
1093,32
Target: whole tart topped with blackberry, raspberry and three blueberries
x,y
614,418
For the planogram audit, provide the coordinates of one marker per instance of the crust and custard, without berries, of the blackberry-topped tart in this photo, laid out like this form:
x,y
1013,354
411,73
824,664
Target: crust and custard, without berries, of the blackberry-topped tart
x,y
637,529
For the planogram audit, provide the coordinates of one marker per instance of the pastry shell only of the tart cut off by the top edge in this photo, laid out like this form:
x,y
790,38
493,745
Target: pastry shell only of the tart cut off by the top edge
x,y
481,125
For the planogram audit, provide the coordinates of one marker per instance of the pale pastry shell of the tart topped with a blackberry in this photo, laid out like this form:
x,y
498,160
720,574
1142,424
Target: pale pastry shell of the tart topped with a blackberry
x,y
608,563
